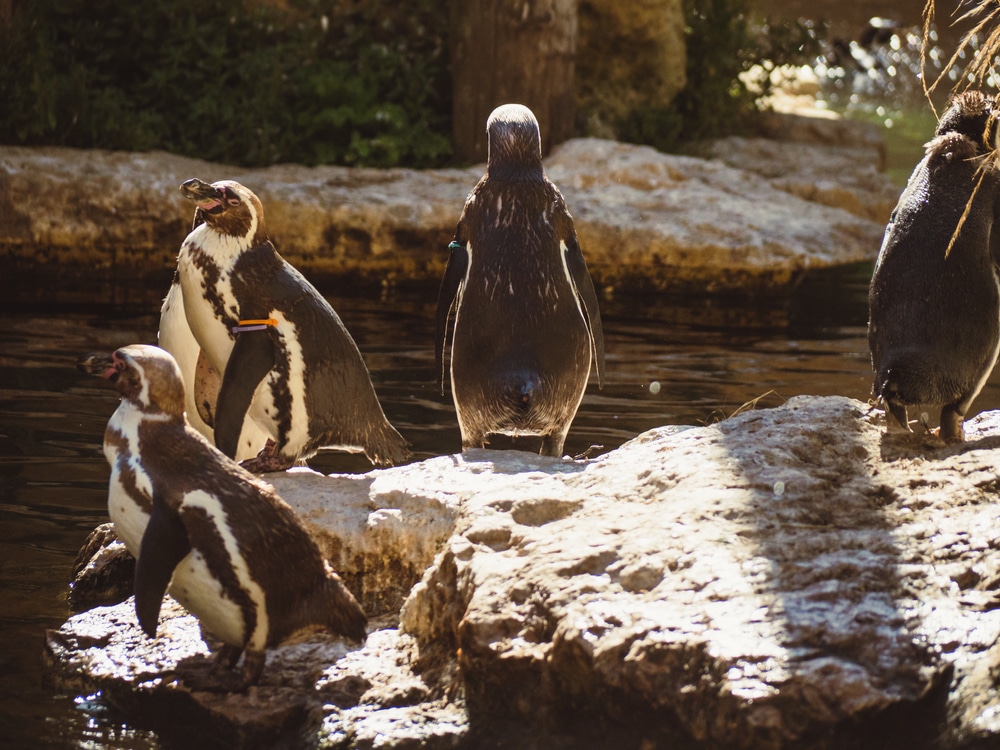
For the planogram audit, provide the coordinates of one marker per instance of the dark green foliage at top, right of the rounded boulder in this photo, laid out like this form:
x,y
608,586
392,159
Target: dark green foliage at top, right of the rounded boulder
x,y
721,44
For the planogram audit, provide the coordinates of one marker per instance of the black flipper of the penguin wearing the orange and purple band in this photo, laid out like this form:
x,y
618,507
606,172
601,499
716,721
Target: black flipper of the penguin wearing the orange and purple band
x,y
251,360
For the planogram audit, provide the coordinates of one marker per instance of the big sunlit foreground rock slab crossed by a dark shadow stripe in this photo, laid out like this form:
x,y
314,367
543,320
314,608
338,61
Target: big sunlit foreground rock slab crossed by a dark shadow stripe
x,y
789,577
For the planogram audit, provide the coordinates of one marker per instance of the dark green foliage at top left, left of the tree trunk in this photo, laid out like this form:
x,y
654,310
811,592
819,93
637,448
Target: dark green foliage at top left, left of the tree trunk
x,y
359,82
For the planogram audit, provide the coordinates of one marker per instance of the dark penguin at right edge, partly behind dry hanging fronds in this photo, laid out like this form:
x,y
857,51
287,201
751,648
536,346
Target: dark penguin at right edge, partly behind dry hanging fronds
x,y
934,297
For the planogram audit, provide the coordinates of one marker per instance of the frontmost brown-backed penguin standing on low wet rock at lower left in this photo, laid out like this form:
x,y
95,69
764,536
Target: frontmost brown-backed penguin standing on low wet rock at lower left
x,y
222,541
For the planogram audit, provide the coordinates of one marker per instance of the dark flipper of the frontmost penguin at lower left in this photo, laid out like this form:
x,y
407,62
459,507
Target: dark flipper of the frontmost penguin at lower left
x,y
164,545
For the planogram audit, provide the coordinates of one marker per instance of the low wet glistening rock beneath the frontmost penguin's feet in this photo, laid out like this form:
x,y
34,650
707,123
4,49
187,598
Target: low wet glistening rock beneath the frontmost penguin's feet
x,y
294,705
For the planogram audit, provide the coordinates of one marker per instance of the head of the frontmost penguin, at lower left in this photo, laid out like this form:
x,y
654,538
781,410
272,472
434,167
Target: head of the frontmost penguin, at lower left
x,y
147,376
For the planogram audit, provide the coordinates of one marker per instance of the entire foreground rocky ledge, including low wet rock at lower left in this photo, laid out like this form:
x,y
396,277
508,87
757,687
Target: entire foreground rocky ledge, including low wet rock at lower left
x,y
786,578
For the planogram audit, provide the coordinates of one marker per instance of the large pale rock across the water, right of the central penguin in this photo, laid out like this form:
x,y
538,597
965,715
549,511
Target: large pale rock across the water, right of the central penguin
x,y
680,222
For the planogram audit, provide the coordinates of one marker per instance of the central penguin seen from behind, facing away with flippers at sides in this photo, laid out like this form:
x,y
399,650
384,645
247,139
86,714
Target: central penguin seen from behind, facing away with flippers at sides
x,y
526,321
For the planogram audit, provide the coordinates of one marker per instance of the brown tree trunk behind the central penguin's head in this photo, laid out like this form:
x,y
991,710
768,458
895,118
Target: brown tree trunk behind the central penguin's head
x,y
511,51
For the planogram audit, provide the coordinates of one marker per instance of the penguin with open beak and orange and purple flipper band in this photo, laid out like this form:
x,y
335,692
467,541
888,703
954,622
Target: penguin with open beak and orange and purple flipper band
x,y
286,360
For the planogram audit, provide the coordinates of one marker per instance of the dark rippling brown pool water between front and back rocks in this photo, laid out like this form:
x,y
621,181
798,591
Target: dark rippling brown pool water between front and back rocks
x,y
708,357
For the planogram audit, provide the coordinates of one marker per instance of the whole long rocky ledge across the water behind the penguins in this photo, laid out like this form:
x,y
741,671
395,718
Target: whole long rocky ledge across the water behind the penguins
x,y
752,216
